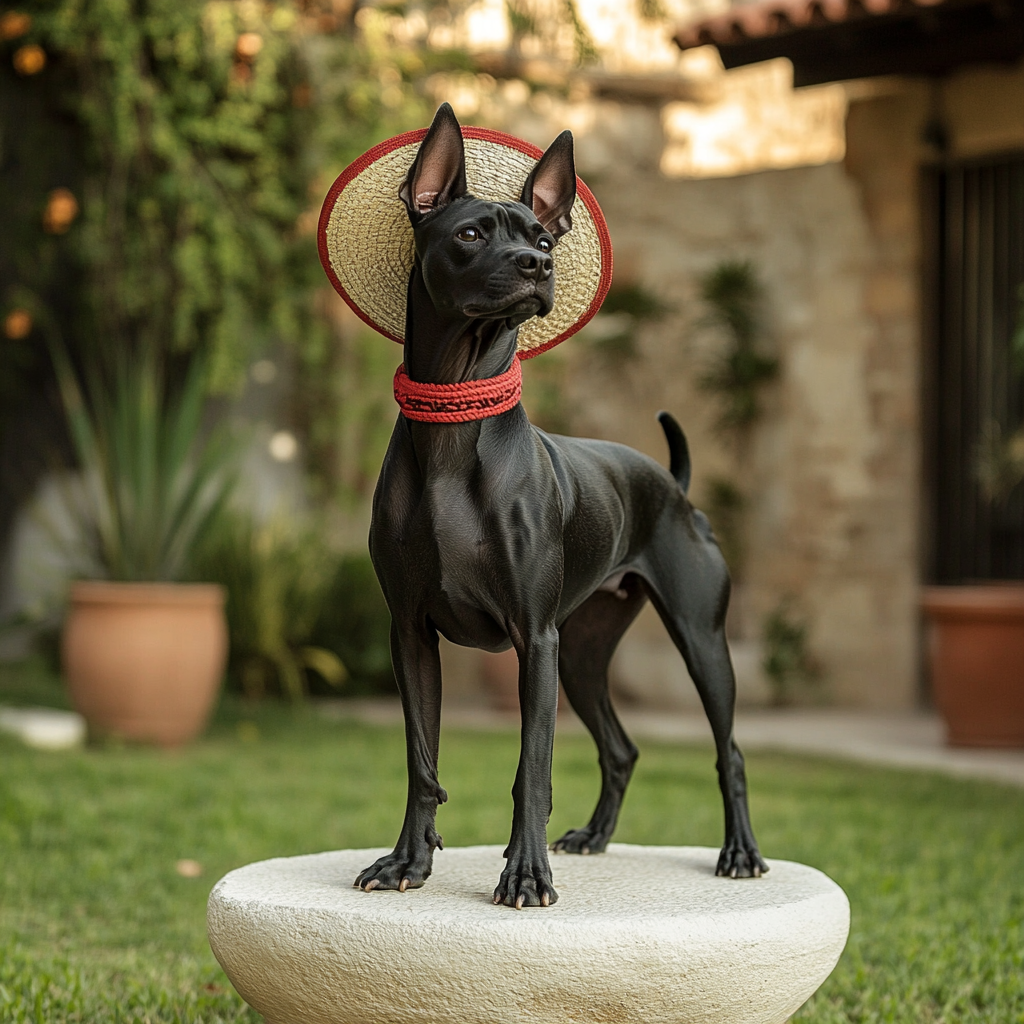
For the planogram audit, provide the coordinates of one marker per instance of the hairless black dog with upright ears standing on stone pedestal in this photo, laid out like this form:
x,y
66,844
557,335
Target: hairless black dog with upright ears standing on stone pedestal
x,y
496,534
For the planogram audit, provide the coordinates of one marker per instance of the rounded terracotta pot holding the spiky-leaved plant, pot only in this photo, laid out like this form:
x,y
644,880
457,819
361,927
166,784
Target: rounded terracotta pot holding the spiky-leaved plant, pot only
x,y
145,661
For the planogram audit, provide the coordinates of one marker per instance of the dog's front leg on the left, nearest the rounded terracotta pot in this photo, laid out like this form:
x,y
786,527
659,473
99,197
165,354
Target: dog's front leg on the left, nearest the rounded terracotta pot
x,y
417,665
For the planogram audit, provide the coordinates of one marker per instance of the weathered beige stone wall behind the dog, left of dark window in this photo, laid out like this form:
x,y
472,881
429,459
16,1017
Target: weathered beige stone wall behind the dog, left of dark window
x,y
834,479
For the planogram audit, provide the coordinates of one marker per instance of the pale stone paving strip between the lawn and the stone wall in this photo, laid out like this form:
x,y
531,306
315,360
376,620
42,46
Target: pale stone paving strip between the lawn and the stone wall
x,y
899,739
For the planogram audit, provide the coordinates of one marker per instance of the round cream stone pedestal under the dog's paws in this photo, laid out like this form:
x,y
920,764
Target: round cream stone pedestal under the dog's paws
x,y
641,935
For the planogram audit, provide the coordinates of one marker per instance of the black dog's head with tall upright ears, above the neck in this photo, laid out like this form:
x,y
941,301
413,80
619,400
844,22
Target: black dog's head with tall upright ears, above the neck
x,y
482,260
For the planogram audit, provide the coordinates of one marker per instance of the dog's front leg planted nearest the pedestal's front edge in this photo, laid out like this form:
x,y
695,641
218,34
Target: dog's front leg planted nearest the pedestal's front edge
x,y
527,879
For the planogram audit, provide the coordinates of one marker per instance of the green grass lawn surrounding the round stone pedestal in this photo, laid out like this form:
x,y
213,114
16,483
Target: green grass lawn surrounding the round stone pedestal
x,y
97,925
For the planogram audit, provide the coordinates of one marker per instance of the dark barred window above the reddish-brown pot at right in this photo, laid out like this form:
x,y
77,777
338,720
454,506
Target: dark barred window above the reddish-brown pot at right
x,y
974,393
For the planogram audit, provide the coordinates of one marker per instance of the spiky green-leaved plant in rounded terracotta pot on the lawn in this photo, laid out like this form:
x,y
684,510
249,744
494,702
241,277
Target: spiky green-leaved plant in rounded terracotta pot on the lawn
x,y
144,654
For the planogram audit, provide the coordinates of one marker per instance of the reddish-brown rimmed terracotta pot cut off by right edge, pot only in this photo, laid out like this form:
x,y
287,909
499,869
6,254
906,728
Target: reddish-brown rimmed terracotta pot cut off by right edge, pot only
x,y
976,655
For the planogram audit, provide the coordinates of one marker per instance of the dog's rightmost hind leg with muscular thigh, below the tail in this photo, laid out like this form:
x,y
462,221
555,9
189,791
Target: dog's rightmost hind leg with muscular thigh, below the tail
x,y
689,584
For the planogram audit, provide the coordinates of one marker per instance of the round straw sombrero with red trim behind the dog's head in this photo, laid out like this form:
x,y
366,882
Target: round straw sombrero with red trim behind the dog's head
x,y
366,240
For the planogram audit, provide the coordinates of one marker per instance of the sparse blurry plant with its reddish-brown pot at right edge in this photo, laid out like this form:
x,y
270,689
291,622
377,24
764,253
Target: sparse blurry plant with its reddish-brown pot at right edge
x,y
976,632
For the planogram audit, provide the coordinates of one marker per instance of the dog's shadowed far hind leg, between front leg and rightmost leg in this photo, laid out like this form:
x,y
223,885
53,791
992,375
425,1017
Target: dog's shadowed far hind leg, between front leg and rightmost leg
x,y
588,639
